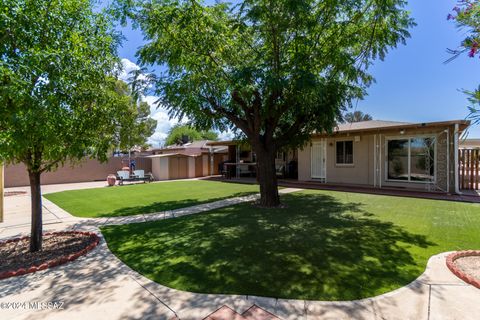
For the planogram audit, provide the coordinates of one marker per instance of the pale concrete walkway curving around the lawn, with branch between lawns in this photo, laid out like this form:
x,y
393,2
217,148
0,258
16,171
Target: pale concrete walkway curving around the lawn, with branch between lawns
x,y
100,286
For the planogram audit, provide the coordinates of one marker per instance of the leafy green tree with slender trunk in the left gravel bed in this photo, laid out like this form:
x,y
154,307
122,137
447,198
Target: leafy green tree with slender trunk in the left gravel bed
x,y
58,99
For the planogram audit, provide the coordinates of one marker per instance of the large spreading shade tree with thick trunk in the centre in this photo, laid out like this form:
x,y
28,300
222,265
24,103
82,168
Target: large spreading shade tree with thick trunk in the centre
x,y
275,70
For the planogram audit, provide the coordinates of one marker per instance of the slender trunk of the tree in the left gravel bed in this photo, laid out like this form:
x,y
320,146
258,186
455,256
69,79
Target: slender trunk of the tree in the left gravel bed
x,y
36,197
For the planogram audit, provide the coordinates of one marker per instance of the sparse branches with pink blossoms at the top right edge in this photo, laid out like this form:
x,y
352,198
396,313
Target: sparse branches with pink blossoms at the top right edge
x,y
467,17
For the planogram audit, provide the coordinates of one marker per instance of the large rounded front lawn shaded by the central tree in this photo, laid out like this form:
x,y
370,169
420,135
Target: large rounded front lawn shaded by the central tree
x,y
323,246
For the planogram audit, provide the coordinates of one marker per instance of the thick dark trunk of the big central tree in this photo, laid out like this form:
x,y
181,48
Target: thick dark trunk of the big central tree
x,y
267,177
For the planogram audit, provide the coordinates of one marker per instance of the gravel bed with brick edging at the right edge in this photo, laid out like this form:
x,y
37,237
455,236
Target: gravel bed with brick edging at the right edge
x,y
466,266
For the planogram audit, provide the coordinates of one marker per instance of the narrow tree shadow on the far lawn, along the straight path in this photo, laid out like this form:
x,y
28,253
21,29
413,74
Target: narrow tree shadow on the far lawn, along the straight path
x,y
161,206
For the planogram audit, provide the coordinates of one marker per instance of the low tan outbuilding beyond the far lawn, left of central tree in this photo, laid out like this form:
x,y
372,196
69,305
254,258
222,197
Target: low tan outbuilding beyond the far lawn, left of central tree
x,y
189,160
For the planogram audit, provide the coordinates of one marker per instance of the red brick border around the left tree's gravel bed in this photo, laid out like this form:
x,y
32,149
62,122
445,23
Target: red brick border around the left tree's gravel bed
x,y
54,262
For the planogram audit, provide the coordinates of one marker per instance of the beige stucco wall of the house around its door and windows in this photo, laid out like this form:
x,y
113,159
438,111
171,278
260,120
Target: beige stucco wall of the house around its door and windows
x,y
362,170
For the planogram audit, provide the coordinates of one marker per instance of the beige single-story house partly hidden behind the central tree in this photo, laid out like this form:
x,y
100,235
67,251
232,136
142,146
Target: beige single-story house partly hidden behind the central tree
x,y
376,153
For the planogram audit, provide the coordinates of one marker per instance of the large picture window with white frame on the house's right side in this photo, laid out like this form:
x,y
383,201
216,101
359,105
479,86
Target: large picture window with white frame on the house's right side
x,y
411,159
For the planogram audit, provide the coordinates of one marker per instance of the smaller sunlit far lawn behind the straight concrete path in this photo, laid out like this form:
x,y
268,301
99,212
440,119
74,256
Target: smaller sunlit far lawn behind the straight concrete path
x,y
145,198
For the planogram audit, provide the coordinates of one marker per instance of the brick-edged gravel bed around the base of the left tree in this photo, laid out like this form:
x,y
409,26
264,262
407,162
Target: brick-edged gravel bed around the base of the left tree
x,y
58,248
